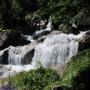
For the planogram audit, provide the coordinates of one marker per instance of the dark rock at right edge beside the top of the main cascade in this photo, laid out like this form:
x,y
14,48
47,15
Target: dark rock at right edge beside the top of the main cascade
x,y
84,43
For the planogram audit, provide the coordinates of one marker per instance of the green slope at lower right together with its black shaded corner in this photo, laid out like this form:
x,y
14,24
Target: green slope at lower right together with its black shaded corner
x,y
76,74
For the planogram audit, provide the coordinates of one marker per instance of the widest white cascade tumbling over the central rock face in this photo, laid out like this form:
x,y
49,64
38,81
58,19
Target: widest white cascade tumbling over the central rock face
x,y
56,50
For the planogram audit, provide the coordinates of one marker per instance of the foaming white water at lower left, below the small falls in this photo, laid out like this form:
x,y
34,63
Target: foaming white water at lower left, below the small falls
x,y
14,69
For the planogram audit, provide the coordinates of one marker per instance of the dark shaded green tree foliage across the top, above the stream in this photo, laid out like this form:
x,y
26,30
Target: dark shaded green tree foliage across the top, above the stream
x,y
61,11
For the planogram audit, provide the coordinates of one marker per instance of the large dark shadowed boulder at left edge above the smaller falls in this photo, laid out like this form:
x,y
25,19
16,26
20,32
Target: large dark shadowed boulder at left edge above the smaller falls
x,y
11,38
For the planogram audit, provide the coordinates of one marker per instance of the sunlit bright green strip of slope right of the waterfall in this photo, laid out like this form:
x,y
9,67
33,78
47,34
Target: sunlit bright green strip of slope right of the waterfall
x,y
75,66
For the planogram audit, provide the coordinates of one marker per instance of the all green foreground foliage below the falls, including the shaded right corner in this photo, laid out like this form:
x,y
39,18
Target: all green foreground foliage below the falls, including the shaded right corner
x,y
74,77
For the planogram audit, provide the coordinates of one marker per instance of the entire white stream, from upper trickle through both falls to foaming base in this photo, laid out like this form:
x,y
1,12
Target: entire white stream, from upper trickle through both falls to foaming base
x,y
54,51
